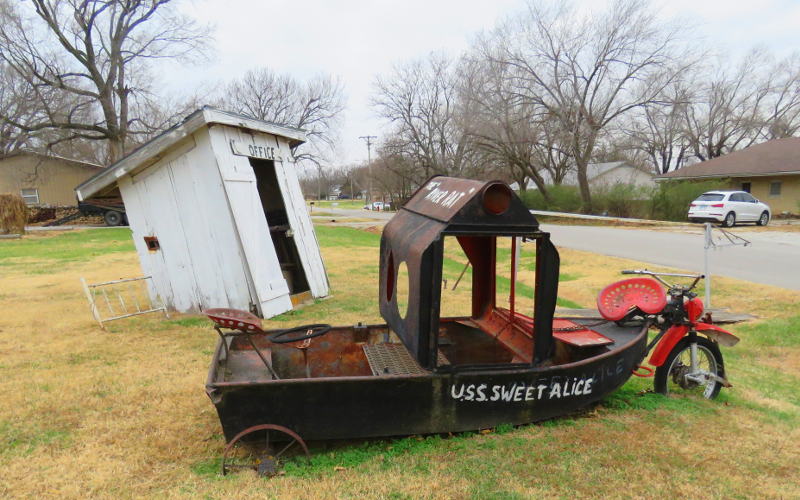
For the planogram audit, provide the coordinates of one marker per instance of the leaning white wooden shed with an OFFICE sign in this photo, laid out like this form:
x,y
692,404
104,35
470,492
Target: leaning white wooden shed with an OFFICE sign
x,y
217,215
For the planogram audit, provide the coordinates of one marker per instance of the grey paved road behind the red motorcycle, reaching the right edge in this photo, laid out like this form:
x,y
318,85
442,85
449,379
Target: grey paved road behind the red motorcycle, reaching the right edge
x,y
773,258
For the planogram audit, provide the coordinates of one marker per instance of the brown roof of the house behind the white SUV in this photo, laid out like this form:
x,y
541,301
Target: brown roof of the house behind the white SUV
x,y
775,157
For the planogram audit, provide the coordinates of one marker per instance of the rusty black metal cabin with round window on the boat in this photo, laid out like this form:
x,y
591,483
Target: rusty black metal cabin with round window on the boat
x,y
476,213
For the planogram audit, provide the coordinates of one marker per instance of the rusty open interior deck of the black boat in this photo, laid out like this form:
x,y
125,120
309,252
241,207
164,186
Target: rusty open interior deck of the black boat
x,y
375,351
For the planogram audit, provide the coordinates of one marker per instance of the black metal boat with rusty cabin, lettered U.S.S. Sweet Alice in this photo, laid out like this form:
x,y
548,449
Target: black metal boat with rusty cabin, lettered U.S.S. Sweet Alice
x,y
421,373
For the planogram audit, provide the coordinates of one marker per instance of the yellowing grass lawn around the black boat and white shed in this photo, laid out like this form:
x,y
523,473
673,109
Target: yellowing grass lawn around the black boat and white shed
x,y
124,413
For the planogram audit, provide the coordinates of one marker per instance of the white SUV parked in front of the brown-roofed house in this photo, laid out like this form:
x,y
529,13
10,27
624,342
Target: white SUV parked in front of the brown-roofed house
x,y
729,208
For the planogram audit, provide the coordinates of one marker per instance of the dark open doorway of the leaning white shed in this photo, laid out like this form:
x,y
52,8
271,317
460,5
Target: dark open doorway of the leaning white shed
x,y
279,229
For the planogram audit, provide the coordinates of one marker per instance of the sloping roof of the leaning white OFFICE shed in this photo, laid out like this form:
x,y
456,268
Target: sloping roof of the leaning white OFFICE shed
x,y
156,146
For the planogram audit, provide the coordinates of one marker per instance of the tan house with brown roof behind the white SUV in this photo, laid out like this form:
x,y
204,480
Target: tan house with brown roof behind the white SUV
x,y
770,171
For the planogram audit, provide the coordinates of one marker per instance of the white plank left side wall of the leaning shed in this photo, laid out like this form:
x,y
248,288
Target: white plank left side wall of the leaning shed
x,y
180,200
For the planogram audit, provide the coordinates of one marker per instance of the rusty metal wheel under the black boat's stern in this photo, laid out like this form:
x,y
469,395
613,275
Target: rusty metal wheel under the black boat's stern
x,y
278,443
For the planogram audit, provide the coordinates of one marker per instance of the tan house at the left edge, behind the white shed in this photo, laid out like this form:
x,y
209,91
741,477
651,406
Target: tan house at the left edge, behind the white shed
x,y
43,179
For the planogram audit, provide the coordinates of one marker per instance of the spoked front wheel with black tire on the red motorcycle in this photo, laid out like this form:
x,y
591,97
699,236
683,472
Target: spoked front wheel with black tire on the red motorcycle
x,y
675,375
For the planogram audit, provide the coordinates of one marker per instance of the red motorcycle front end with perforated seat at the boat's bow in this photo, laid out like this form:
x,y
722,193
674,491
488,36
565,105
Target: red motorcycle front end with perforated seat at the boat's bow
x,y
685,352
